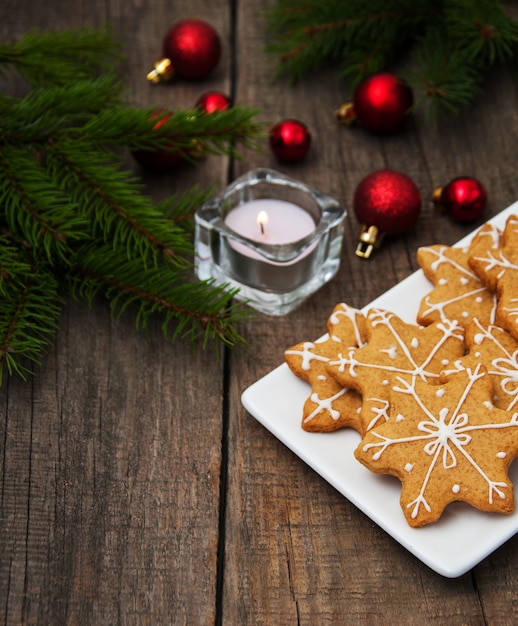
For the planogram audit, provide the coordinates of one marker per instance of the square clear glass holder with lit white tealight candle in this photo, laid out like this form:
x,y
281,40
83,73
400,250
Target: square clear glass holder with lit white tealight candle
x,y
272,237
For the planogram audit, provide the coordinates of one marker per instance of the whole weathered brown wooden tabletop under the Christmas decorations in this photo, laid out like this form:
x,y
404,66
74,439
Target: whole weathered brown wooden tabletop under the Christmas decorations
x,y
135,488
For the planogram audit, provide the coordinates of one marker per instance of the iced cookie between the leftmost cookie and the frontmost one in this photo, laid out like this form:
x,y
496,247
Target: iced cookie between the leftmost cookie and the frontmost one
x,y
394,348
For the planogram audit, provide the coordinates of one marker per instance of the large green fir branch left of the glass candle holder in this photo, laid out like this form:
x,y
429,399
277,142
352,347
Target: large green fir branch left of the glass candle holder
x,y
74,219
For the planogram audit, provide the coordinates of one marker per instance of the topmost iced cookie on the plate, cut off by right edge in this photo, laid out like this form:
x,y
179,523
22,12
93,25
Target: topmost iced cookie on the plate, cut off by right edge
x,y
497,268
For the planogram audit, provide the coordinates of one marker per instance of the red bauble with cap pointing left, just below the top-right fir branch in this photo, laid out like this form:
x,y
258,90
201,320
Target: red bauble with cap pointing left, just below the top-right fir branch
x,y
381,104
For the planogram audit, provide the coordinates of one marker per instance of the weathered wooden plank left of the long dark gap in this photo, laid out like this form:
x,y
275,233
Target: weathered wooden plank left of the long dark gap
x,y
112,454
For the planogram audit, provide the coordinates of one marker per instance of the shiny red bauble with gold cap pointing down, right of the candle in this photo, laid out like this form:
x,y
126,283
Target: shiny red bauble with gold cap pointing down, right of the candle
x,y
386,202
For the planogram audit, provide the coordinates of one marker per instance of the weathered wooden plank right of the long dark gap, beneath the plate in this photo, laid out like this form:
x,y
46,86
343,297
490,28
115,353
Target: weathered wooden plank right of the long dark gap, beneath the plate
x,y
296,551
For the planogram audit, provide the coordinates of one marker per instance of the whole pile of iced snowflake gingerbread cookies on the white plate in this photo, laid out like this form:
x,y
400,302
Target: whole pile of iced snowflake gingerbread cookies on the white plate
x,y
435,402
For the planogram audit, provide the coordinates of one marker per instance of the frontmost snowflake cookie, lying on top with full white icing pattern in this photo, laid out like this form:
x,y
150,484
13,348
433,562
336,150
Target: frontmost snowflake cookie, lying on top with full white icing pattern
x,y
445,443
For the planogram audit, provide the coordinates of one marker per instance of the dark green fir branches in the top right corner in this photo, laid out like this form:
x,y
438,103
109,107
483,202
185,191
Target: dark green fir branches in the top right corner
x,y
443,48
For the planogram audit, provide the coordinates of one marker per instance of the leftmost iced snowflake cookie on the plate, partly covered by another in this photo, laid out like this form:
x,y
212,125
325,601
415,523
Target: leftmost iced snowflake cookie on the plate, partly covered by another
x,y
330,405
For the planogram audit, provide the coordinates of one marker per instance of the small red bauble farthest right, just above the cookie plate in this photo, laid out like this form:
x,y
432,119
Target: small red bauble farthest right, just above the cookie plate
x,y
463,198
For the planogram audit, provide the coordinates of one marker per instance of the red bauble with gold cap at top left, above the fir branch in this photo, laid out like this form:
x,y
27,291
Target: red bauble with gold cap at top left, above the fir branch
x,y
191,49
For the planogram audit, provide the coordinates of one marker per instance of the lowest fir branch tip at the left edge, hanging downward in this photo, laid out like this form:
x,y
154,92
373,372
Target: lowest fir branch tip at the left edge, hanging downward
x,y
31,306
